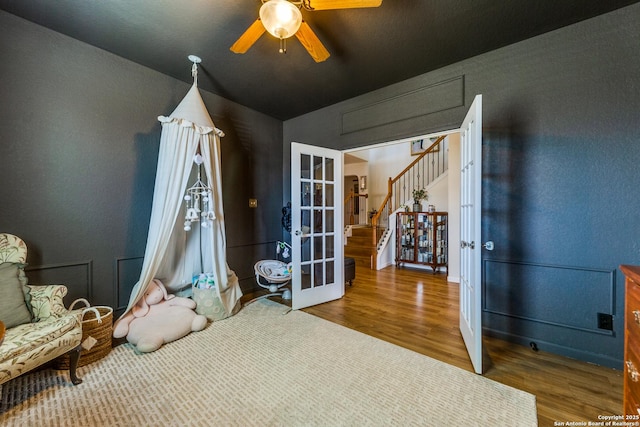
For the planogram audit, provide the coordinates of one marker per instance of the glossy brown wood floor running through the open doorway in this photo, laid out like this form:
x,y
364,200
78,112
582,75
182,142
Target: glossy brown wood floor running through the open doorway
x,y
419,311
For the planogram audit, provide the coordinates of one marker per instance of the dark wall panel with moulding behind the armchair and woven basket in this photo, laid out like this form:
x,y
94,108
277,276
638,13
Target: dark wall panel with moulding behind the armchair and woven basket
x,y
76,276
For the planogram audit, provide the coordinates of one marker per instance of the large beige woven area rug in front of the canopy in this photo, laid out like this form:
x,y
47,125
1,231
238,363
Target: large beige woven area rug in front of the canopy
x,y
265,368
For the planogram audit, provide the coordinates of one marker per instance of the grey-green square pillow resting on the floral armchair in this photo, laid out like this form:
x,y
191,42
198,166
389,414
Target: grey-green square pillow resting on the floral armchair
x,y
13,305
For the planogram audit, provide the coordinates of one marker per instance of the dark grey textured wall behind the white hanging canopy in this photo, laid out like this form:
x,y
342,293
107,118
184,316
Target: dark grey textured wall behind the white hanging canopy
x,y
79,141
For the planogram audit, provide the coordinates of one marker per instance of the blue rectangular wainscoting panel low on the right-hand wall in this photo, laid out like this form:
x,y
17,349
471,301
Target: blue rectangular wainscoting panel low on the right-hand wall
x,y
568,297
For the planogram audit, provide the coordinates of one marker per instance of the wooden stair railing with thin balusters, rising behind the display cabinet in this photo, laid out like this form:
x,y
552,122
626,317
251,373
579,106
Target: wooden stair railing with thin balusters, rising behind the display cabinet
x,y
420,173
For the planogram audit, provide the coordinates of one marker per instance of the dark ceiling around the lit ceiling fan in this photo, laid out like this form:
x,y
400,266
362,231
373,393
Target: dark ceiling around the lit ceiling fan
x,y
370,48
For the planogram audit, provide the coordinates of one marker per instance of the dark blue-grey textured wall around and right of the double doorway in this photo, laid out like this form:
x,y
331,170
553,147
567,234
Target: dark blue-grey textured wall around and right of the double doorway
x,y
561,155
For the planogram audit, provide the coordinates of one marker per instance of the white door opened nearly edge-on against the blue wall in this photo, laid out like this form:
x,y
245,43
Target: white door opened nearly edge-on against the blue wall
x,y
470,233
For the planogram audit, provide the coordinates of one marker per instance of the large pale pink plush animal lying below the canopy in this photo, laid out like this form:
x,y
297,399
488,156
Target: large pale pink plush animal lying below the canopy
x,y
158,318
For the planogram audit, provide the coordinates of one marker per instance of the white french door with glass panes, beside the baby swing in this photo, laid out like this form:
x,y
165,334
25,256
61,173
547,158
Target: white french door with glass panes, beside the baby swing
x,y
316,225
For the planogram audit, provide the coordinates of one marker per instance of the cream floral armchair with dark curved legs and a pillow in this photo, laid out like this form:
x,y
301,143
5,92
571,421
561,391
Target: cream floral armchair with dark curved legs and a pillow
x,y
38,326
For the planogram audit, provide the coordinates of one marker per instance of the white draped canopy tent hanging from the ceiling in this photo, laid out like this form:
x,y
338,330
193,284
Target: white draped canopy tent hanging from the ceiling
x,y
173,254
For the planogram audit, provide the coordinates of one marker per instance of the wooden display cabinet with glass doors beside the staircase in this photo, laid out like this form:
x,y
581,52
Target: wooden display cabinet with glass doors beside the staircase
x,y
421,238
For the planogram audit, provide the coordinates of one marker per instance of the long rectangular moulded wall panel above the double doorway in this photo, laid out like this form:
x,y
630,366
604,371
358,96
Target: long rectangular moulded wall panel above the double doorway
x,y
430,99
